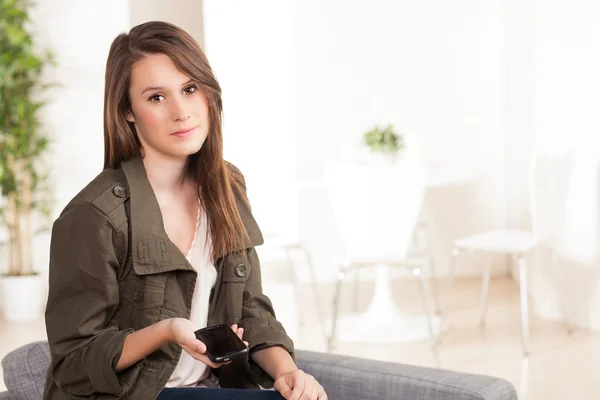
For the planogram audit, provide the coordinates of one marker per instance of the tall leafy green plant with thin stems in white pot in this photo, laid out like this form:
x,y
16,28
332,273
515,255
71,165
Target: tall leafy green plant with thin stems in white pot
x,y
23,195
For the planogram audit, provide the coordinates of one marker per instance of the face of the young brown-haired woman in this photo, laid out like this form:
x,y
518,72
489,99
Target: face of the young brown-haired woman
x,y
169,111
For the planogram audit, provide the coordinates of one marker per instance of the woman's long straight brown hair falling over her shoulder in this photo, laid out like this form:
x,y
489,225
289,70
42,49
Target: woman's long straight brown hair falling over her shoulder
x,y
216,182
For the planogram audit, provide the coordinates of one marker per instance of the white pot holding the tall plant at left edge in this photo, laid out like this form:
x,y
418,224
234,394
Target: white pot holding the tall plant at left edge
x,y
22,297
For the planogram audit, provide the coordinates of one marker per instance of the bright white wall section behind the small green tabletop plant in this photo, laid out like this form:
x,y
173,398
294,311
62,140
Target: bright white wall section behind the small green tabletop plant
x,y
433,68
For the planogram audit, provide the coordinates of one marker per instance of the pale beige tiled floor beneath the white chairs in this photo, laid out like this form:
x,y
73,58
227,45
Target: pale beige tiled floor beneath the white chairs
x,y
560,366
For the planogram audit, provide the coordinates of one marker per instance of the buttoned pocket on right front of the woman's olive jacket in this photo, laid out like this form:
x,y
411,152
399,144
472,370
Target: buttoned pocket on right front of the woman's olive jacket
x,y
236,273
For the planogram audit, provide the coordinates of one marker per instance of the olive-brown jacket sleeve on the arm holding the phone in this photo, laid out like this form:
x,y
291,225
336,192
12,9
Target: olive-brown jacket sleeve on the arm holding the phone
x,y
85,342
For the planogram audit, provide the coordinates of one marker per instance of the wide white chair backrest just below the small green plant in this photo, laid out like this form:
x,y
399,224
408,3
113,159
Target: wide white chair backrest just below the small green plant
x,y
375,207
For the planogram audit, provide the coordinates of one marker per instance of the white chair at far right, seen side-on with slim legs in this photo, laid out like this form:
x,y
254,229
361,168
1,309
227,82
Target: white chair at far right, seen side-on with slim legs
x,y
549,179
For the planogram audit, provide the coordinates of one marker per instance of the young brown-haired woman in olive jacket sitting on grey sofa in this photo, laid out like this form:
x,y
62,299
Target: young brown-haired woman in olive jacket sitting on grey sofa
x,y
160,244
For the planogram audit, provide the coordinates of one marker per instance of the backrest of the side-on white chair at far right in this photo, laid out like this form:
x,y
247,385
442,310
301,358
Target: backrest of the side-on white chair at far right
x,y
550,178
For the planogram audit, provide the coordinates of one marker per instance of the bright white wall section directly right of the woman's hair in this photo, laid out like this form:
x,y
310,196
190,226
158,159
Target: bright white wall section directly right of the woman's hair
x,y
251,52
